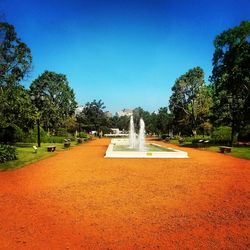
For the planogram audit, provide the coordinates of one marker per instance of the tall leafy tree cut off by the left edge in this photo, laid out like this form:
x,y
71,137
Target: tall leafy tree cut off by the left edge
x,y
16,110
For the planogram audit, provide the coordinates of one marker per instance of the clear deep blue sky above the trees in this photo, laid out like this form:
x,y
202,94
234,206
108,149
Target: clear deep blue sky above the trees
x,y
126,52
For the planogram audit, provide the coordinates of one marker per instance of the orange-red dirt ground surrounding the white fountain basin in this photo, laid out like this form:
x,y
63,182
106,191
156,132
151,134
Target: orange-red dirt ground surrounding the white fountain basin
x,y
79,200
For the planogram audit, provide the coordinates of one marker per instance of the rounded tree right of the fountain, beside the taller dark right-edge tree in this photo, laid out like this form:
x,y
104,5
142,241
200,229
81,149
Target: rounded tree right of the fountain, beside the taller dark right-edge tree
x,y
190,102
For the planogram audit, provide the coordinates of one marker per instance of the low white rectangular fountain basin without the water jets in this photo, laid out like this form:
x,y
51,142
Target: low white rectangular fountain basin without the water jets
x,y
119,148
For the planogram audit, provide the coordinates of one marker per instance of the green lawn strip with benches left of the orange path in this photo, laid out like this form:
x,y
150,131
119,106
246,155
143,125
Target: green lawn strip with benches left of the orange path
x,y
26,154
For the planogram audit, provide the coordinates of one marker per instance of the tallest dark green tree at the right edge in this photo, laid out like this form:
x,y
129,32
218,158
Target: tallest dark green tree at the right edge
x,y
231,77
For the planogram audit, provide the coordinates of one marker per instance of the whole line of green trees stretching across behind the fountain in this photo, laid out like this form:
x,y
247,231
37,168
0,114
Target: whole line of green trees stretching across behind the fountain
x,y
195,107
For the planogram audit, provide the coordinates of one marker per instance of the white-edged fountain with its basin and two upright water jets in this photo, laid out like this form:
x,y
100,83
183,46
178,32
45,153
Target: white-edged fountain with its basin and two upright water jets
x,y
136,147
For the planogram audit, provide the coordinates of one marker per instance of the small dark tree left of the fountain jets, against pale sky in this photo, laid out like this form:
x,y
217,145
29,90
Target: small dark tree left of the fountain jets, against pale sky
x,y
93,116
